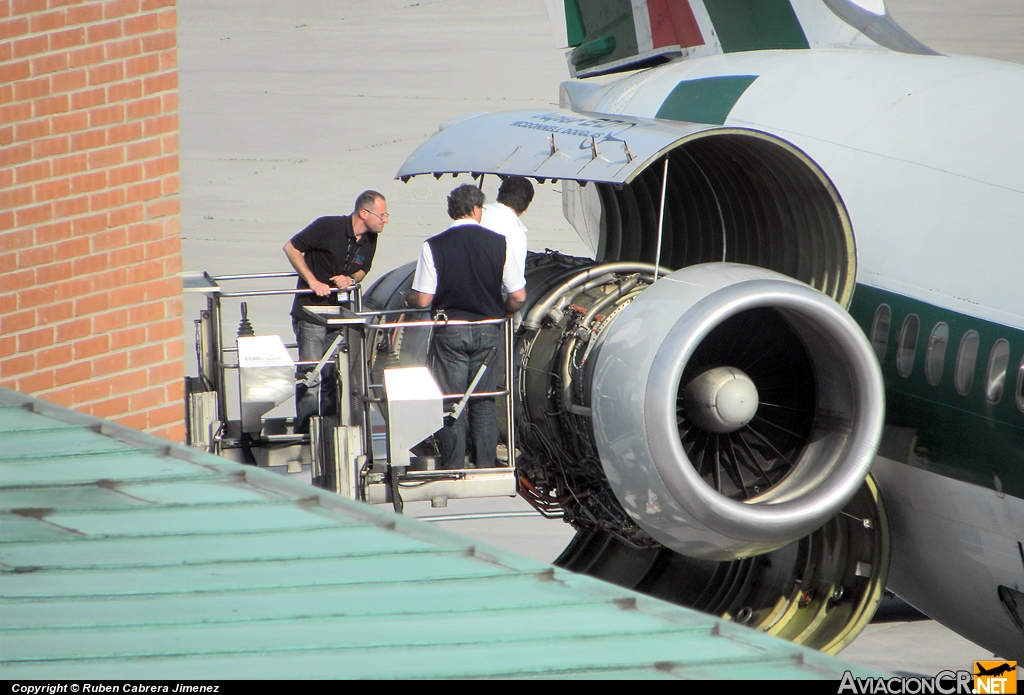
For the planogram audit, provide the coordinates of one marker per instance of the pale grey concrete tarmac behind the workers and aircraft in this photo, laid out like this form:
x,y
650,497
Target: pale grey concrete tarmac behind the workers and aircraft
x,y
289,110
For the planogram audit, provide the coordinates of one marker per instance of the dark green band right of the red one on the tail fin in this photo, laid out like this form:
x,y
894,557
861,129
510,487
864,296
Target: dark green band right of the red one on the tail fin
x,y
756,25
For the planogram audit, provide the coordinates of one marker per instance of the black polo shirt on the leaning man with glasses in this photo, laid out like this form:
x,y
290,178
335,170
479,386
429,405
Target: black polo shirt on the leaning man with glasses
x,y
330,249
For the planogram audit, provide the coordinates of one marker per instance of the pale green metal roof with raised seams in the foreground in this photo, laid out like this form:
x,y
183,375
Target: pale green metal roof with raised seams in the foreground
x,y
124,556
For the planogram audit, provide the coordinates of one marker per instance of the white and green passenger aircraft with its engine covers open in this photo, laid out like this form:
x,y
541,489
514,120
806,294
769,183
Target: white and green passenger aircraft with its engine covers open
x,y
709,431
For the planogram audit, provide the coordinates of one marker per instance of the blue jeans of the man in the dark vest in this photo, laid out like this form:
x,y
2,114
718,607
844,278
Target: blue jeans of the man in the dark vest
x,y
455,357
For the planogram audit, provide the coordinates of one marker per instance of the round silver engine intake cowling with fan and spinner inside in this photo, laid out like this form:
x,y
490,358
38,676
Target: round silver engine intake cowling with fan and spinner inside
x,y
670,393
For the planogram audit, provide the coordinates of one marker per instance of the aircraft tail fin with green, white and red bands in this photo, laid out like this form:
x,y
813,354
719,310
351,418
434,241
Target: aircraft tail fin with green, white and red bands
x,y
610,36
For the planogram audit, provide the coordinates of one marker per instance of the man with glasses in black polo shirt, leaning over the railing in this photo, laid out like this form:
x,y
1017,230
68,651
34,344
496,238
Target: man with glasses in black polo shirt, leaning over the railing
x,y
332,254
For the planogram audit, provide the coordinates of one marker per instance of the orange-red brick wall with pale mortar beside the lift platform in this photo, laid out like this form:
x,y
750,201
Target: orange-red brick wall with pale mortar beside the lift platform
x,y
91,303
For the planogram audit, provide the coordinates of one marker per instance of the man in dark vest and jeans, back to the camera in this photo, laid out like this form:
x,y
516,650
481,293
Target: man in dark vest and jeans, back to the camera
x,y
463,273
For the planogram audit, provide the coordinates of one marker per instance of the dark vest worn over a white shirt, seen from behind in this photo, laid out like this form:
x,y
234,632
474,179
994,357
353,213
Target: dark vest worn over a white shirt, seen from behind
x,y
471,263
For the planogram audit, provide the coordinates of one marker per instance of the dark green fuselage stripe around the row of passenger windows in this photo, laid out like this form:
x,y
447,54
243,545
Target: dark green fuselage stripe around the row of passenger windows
x,y
936,428
